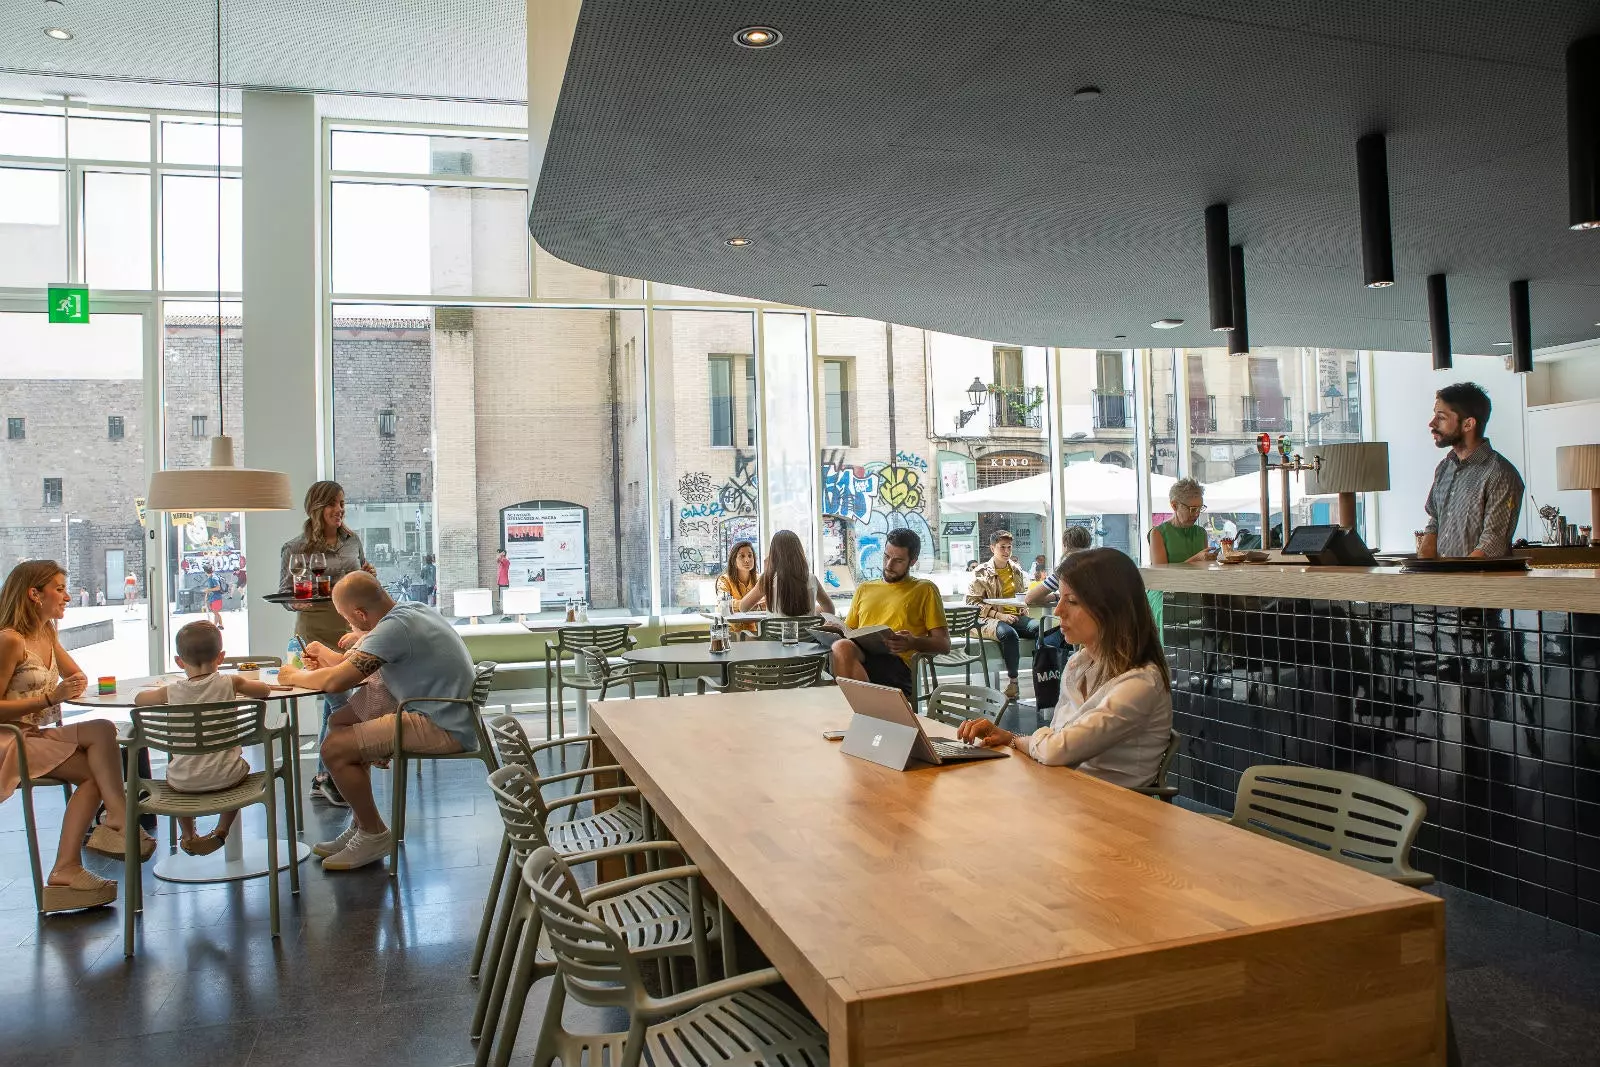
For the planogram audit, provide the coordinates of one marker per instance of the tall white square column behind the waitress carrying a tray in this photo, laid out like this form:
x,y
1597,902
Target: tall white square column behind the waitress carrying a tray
x,y
284,396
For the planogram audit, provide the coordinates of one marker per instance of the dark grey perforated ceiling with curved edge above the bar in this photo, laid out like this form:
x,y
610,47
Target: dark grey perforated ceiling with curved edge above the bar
x,y
926,162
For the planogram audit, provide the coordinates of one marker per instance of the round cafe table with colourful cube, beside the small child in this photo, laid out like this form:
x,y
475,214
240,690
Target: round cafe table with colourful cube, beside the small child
x,y
238,860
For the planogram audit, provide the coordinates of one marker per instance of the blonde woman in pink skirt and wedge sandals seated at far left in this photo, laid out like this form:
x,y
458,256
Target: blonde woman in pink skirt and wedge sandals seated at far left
x,y
38,677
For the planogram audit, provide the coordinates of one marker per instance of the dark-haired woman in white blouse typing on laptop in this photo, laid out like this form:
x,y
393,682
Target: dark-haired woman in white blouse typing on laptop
x,y
1116,709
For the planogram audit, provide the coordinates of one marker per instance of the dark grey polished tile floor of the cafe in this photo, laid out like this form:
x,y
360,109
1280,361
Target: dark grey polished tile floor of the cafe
x,y
372,970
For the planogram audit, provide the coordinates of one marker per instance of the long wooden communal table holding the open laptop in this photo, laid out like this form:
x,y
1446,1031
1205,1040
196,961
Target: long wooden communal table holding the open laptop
x,y
1006,913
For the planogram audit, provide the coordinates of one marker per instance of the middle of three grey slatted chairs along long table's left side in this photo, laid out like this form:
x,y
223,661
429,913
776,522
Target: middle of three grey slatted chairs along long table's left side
x,y
654,914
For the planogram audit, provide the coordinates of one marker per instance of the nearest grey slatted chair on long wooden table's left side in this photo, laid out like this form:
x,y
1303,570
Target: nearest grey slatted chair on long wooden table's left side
x,y
727,1023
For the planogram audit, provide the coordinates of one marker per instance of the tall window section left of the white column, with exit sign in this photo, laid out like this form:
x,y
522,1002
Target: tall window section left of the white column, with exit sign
x,y
126,204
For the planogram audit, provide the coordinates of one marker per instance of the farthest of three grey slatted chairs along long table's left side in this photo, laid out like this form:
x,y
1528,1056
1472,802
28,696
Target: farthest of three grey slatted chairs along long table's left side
x,y
625,823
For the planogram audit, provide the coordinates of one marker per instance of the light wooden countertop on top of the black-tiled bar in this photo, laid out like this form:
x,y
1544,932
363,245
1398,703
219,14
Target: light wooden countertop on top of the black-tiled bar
x,y
1538,589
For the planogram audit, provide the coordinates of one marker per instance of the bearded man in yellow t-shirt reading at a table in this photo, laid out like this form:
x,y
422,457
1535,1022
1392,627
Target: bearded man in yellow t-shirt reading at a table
x,y
908,605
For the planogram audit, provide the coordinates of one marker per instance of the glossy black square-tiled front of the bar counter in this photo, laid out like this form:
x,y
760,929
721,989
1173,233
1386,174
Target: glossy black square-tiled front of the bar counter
x,y
1492,717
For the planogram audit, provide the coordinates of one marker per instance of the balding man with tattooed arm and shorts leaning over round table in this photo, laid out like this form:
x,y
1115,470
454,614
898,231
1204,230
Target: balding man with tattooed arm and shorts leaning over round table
x,y
417,655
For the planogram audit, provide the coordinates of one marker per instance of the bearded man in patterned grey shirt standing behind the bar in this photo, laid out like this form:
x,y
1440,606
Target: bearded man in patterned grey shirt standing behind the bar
x,y
1478,495
